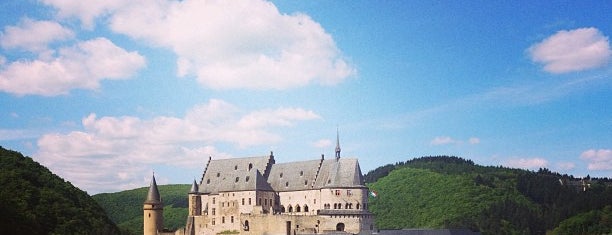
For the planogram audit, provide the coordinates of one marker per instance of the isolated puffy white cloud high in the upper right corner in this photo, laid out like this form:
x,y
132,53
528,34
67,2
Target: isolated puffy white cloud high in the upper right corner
x,y
573,50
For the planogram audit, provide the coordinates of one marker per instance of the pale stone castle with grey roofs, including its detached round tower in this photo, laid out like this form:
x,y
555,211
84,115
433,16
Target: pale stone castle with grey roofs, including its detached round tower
x,y
256,195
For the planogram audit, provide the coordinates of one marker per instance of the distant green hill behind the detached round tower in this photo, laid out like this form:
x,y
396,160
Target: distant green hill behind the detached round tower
x,y
125,207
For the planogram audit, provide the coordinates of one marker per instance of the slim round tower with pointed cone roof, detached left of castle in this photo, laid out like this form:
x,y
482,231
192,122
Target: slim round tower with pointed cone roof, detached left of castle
x,y
153,211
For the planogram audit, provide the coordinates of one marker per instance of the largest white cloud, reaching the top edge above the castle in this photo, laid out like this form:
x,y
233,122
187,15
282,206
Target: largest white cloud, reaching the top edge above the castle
x,y
229,44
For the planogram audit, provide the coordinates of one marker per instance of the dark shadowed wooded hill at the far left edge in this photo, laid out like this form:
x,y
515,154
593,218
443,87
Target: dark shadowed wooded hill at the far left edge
x,y
36,201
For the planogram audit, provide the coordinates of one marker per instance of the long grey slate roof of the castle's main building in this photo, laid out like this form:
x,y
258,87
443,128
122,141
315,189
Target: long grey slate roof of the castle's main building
x,y
261,173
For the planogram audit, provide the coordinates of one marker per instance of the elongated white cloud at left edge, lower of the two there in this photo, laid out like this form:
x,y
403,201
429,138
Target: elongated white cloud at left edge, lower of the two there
x,y
82,66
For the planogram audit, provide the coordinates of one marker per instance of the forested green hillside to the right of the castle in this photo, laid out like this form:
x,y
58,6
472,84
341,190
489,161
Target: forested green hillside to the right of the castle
x,y
450,192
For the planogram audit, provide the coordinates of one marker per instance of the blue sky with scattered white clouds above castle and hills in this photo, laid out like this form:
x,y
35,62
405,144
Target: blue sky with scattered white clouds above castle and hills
x,y
103,93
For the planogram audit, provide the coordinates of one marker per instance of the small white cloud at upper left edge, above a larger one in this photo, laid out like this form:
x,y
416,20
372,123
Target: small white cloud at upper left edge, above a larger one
x,y
33,35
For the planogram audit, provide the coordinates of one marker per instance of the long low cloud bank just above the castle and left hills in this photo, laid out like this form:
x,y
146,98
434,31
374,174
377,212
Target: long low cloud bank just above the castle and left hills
x,y
112,153
